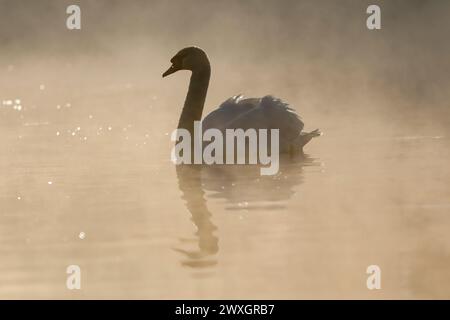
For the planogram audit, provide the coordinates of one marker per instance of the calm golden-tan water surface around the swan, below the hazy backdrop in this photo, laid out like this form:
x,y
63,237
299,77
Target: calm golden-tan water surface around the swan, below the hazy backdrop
x,y
95,159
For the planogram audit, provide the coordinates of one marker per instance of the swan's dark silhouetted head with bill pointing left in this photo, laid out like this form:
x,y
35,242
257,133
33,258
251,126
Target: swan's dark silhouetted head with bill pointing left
x,y
190,58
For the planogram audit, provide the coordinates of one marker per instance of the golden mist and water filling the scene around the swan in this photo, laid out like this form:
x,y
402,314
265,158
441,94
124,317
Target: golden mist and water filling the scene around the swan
x,y
85,123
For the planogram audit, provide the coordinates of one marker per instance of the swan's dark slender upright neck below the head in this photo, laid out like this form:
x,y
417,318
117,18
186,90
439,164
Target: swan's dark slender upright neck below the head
x,y
195,99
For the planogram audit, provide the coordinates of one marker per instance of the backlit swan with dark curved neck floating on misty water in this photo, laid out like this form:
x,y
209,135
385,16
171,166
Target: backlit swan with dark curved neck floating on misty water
x,y
237,112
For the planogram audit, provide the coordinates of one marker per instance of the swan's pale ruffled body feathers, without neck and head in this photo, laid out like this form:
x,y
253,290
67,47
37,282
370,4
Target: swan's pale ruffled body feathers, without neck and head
x,y
257,113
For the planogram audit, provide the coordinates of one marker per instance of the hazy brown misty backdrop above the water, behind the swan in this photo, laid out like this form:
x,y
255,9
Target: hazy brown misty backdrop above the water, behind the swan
x,y
316,53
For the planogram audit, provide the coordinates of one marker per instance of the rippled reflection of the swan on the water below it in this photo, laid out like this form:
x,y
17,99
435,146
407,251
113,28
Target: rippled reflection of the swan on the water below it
x,y
242,188
